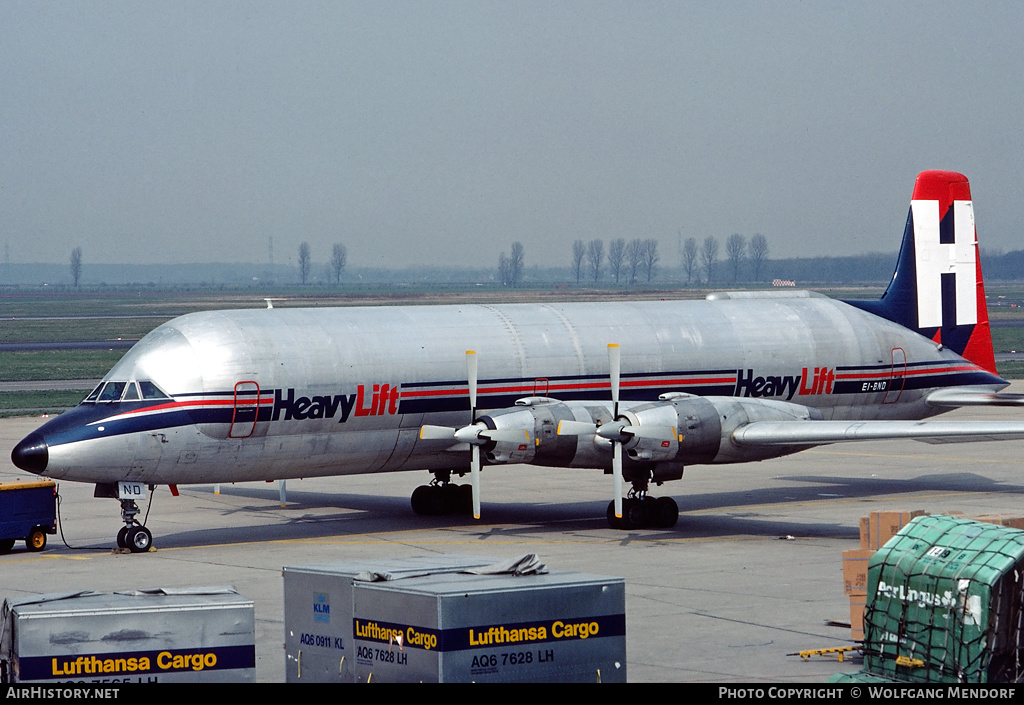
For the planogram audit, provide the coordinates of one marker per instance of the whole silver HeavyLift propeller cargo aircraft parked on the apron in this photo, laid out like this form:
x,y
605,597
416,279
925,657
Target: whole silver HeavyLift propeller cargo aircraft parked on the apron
x,y
635,389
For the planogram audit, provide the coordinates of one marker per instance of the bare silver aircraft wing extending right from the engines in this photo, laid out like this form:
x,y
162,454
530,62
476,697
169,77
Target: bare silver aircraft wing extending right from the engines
x,y
813,433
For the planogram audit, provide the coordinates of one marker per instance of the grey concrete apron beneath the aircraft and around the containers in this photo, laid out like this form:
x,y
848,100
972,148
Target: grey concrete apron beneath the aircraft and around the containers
x,y
750,575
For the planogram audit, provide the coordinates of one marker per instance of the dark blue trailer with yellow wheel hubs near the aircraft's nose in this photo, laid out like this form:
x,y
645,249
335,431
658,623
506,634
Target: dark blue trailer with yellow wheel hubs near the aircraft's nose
x,y
28,513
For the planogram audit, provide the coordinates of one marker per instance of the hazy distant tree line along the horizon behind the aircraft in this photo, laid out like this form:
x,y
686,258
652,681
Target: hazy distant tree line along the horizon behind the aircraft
x,y
621,264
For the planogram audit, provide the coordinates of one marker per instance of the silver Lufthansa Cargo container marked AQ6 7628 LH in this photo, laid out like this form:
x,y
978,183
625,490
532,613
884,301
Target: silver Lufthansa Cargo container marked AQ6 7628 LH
x,y
558,628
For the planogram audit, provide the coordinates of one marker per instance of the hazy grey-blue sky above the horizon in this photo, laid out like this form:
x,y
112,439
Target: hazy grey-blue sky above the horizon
x,y
440,133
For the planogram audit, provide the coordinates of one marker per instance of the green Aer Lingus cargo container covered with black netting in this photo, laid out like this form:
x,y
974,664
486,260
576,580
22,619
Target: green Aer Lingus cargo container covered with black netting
x,y
946,600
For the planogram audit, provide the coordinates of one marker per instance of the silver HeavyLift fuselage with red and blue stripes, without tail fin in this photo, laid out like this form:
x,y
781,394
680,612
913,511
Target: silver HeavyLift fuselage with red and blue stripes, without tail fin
x,y
289,393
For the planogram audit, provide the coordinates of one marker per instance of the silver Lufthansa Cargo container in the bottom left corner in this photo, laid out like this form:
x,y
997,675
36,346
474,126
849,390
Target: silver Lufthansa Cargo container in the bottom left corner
x,y
161,636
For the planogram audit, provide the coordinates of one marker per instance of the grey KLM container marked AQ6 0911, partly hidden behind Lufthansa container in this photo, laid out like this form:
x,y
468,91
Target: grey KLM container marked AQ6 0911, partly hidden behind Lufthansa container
x,y
319,610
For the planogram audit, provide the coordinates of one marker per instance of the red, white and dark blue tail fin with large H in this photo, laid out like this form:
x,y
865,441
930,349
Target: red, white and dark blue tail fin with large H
x,y
937,288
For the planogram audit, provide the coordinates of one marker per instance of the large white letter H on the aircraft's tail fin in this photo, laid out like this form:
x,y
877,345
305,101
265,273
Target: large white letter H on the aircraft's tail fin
x,y
934,260
